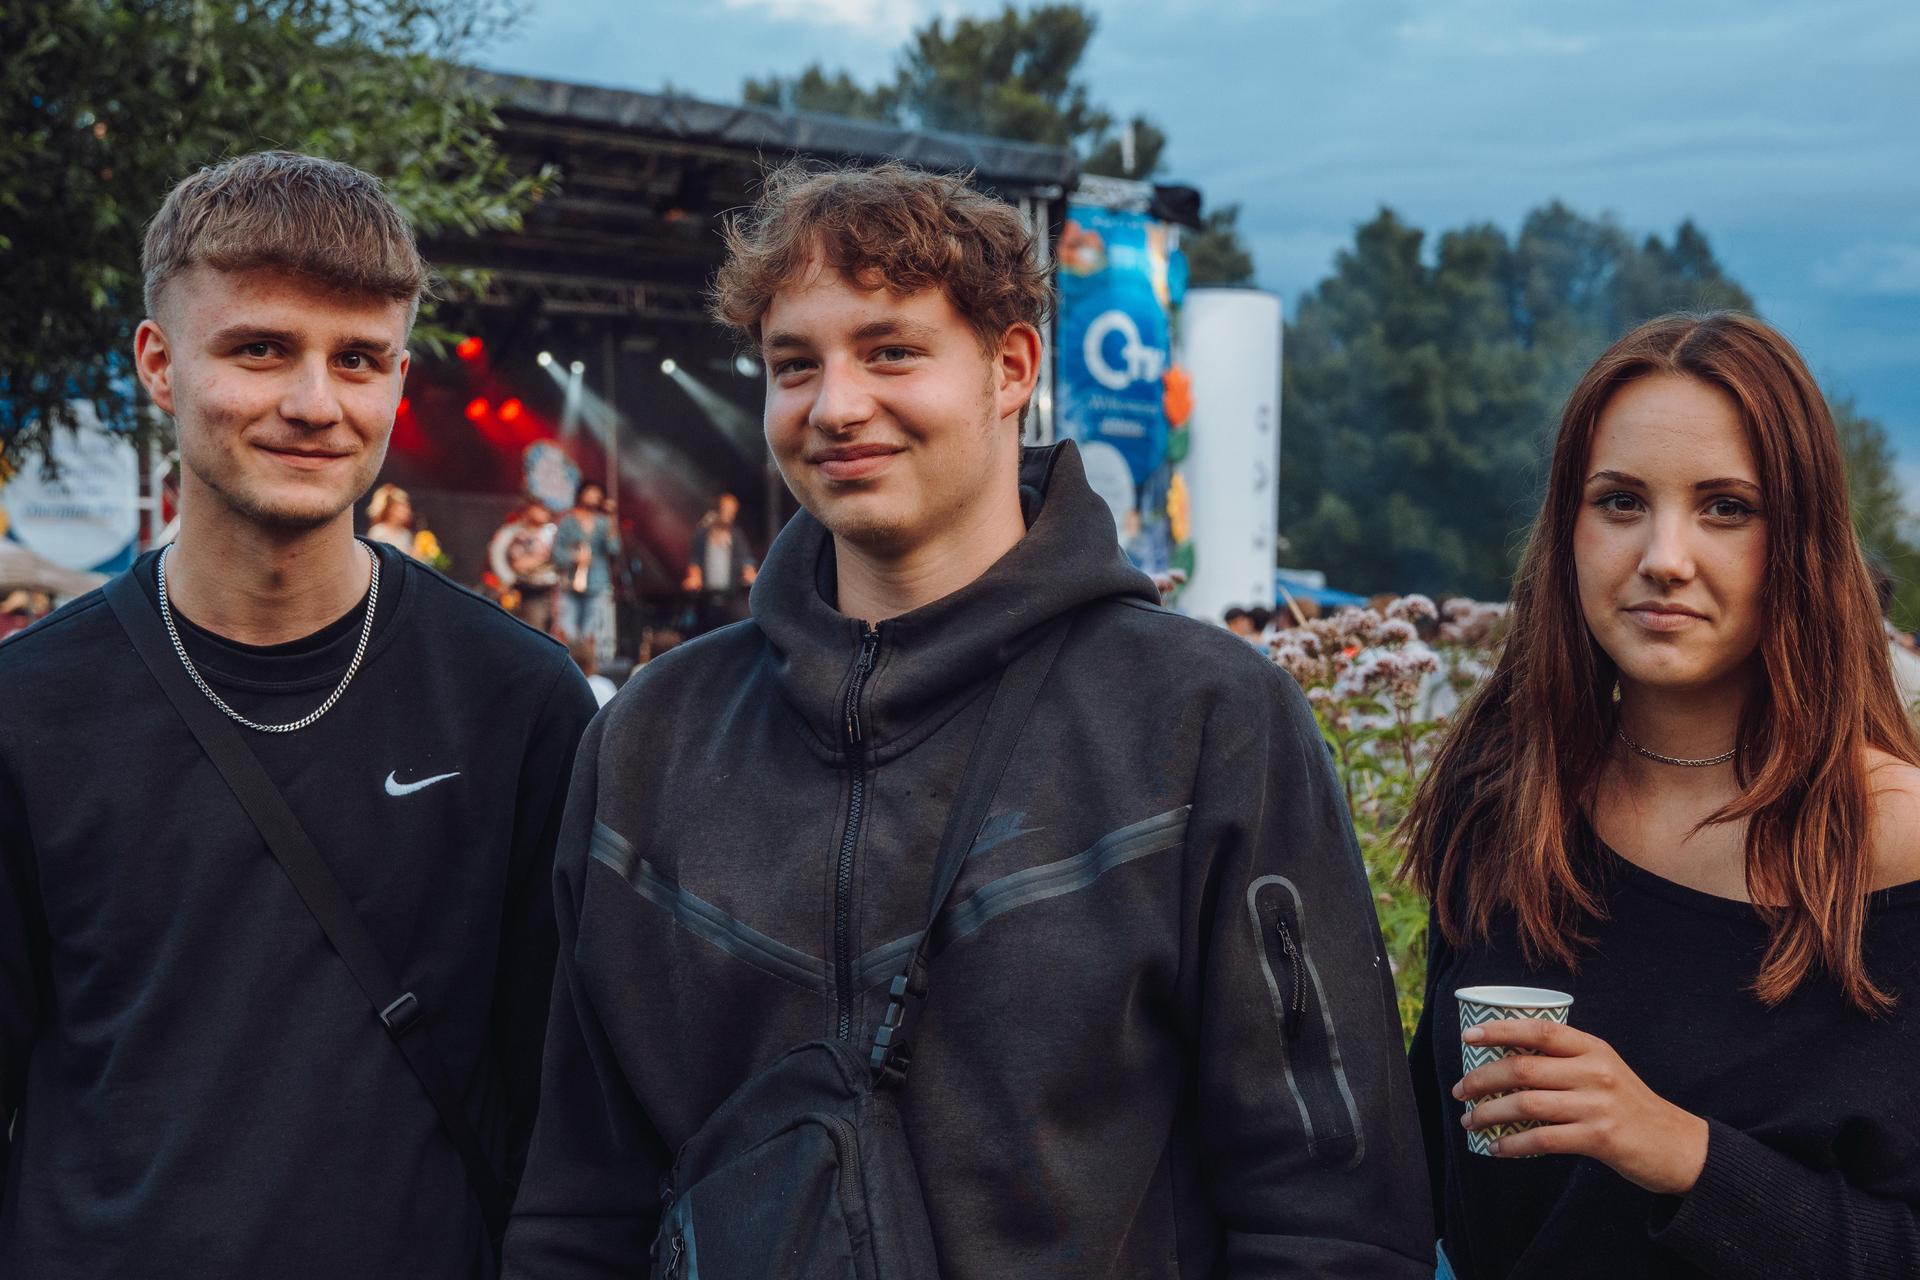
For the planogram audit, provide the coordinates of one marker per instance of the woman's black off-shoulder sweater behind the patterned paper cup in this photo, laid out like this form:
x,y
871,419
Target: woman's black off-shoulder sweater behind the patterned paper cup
x,y
1813,1150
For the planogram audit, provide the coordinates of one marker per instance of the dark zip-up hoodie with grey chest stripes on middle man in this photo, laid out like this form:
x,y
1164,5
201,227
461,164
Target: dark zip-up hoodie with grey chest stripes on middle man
x,y
1161,1037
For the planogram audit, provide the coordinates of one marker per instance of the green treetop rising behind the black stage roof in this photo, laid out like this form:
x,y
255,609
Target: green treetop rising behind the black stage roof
x,y
1013,76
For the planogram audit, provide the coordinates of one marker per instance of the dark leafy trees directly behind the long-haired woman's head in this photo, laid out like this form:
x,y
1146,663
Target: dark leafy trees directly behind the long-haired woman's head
x,y
1420,391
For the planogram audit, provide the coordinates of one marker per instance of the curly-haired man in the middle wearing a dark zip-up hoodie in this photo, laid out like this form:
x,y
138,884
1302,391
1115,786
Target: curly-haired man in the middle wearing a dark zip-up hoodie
x,y
1159,1035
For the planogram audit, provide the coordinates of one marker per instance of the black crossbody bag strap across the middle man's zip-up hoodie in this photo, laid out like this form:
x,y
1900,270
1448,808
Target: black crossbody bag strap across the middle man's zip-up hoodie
x,y
1007,719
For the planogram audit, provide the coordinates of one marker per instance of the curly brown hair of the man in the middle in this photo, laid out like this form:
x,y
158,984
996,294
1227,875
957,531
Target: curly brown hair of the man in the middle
x,y
882,227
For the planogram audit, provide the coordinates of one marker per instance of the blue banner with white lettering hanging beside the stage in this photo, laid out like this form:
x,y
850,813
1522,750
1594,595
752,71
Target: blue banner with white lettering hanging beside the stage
x,y
1116,293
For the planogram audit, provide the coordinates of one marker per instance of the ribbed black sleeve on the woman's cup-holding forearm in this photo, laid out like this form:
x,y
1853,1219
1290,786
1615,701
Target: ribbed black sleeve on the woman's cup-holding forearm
x,y
1758,1214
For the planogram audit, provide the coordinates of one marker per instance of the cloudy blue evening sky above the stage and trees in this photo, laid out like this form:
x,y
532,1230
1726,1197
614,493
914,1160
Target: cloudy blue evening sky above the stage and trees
x,y
1788,131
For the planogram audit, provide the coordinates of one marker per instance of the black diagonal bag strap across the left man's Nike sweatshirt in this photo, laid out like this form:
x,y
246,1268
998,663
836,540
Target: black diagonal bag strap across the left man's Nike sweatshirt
x,y
398,1010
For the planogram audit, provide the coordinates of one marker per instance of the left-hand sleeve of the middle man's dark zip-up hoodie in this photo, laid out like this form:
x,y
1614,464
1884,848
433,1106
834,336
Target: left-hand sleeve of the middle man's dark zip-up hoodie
x,y
590,1198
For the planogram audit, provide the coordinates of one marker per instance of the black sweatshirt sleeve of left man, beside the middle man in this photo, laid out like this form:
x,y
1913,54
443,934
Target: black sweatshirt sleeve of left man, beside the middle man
x,y
525,974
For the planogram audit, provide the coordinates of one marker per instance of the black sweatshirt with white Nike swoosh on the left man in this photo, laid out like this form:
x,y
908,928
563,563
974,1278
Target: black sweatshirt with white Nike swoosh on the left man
x,y
201,1087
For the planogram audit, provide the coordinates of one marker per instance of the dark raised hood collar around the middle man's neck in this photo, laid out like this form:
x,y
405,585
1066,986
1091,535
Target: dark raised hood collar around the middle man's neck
x,y
934,659
